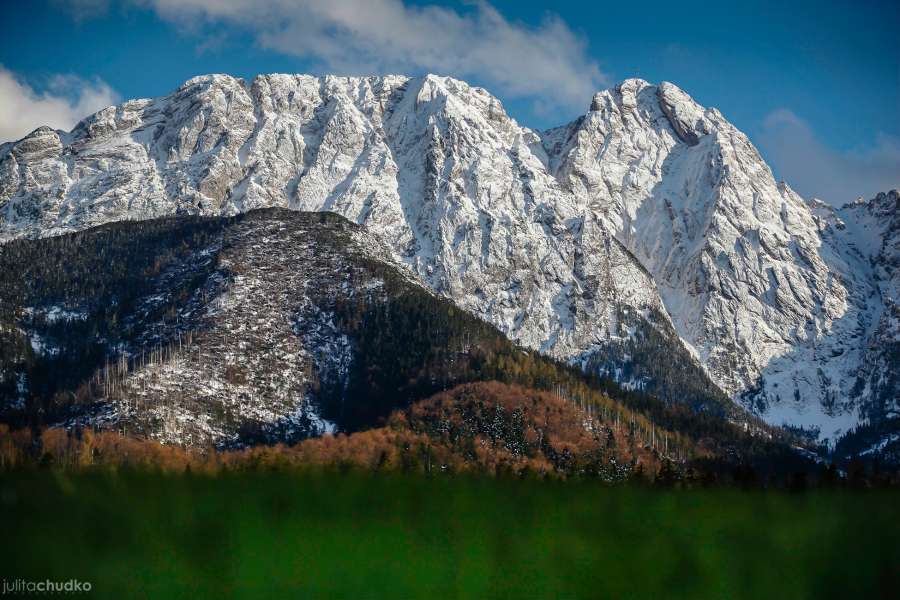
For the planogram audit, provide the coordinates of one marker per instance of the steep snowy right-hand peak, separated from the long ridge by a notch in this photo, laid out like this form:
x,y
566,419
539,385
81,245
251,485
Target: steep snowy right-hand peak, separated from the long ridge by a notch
x,y
772,293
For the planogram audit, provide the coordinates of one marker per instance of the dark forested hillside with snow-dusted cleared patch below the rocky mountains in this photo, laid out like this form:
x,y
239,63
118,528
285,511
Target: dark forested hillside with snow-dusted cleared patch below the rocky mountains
x,y
277,326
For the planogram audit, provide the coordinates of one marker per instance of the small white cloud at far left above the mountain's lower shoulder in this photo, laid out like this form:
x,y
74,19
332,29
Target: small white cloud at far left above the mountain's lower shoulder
x,y
67,100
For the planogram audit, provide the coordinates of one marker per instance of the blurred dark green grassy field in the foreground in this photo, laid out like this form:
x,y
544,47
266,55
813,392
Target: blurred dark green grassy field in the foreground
x,y
287,536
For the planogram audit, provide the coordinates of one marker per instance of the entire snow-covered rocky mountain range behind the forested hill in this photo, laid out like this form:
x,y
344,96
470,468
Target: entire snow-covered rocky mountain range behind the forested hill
x,y
650,221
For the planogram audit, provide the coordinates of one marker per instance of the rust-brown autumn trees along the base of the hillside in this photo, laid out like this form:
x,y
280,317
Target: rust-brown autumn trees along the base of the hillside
x,y
486,427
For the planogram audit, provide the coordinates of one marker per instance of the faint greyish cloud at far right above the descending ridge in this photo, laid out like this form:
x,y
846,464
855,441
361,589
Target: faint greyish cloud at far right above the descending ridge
x,y
814,169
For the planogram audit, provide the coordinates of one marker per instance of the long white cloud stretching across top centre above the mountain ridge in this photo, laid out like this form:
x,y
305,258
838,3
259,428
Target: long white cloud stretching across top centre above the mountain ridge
x,y
547,63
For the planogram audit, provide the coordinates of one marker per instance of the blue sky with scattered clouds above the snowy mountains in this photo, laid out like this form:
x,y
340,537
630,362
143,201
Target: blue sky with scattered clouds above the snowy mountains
x,y
816,85
